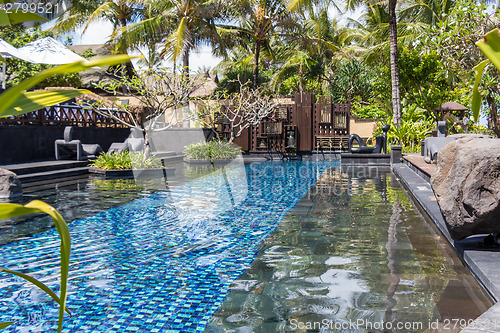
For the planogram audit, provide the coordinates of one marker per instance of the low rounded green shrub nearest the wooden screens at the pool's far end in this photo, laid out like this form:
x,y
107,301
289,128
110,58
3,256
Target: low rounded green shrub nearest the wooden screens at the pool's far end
x,y
212,150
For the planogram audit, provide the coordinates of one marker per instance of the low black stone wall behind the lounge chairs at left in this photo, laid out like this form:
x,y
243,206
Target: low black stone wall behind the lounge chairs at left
x,y
19,144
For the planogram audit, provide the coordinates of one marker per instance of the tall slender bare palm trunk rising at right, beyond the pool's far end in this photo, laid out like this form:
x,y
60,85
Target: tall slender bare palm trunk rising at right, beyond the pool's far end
x,y
393,42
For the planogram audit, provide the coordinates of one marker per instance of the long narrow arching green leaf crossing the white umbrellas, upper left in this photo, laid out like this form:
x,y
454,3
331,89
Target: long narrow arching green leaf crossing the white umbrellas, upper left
x,y
8,98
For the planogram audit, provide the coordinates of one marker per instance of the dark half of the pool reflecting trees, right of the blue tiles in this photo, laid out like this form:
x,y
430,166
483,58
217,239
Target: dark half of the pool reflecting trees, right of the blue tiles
x,y
353,256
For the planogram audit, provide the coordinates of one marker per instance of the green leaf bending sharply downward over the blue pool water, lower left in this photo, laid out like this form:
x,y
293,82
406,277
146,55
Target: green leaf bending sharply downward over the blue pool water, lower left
x,y
9,210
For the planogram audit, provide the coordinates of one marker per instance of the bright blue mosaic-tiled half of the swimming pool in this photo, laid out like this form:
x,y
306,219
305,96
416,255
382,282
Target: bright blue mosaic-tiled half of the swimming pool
x,y
162,263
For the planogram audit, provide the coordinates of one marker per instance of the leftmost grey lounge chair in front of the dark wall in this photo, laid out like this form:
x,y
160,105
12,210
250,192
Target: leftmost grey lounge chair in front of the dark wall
x,y
71,147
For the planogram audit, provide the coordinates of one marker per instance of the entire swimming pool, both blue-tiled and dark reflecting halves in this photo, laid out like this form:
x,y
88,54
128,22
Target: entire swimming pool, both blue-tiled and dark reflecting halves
x,y
167,261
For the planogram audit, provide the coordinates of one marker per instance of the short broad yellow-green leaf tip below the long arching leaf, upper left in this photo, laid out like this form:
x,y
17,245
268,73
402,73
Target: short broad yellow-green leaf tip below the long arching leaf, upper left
x,y
35,100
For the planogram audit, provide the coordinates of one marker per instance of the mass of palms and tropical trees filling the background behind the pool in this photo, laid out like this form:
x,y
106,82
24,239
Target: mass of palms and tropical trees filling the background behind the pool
x,y
396,56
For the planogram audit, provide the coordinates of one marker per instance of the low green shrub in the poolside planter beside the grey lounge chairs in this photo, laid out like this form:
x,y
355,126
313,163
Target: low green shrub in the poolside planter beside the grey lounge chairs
x,y
126,160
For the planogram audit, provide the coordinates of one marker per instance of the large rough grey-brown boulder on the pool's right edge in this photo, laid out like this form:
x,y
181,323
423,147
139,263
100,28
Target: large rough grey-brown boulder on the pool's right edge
x,y
467,186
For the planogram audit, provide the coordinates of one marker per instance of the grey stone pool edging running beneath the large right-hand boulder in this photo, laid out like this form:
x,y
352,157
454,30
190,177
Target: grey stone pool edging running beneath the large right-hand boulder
x,y
483,263
